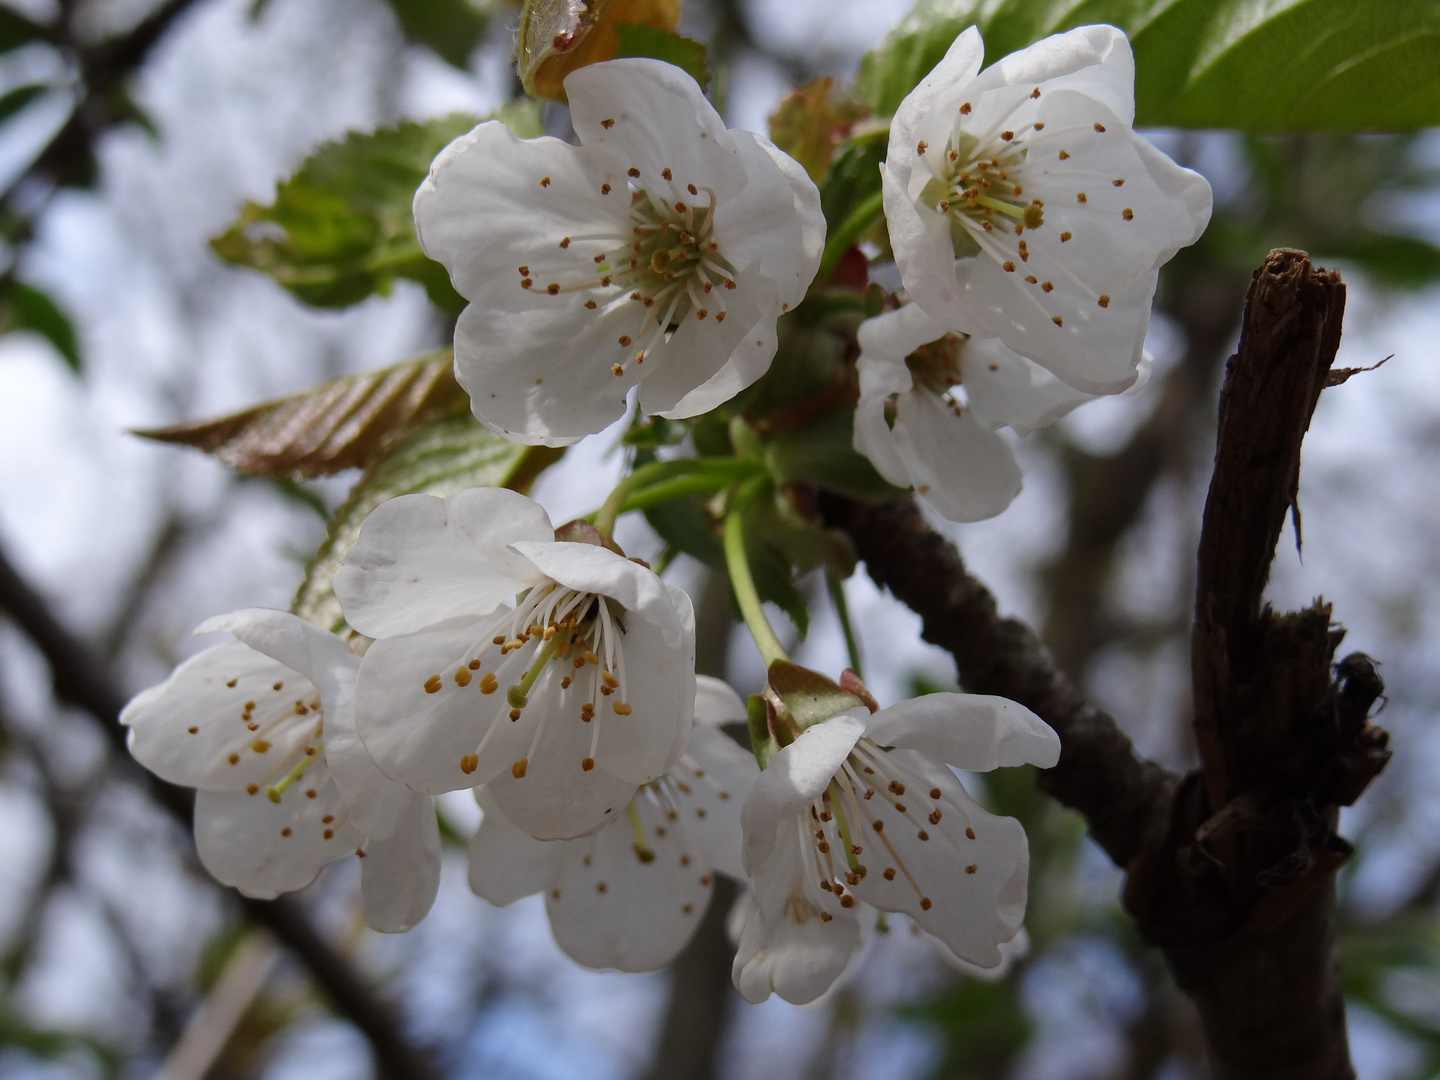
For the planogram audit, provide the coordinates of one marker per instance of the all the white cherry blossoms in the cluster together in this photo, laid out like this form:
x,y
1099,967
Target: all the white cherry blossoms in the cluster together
x,y
555,678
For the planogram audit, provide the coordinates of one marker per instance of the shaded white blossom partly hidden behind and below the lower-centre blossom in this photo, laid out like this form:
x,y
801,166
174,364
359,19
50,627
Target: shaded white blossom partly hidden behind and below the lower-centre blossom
x,y
633,895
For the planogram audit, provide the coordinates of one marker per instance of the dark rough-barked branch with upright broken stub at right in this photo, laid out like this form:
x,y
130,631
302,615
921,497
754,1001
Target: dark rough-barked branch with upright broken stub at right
x,y
1230,870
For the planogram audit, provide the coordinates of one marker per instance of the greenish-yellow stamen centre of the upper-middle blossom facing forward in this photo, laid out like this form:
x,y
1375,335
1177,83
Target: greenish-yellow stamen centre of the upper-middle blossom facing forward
x,y
662,258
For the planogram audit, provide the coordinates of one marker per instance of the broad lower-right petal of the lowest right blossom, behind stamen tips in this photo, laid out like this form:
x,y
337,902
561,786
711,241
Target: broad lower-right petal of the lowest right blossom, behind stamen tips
x,y
961,876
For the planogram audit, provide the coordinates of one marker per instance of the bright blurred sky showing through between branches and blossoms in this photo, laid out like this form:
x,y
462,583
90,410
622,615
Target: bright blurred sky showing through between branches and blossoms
x,y
171,333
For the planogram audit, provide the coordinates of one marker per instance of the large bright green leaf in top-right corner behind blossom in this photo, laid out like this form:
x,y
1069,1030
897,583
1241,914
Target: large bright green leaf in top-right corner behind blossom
x,y
1279,66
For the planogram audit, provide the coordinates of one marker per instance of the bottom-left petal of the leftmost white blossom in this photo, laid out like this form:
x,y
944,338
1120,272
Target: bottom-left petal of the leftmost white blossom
x,y
266,849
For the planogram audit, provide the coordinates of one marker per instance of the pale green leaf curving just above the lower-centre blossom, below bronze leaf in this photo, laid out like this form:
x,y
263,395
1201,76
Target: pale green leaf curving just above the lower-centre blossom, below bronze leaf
x,y
438,460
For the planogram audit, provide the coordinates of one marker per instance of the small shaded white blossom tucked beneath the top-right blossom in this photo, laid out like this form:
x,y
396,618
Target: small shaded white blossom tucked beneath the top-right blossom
x,y
931,401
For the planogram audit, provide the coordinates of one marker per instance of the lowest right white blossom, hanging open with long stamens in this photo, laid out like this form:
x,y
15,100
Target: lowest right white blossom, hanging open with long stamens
x,y
862,810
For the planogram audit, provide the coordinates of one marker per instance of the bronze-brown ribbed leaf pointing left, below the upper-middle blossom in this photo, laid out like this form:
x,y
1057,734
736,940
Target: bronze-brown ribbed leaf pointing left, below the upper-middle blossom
x,y
346,423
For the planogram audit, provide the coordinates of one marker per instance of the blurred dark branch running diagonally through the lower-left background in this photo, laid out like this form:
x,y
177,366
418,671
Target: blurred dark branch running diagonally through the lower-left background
x,y
80,680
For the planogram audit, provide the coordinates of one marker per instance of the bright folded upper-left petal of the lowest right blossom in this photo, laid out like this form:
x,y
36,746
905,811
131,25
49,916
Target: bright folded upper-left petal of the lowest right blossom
x,y
796,778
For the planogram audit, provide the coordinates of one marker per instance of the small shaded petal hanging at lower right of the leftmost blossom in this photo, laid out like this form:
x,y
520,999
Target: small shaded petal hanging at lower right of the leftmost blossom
x,y
401,873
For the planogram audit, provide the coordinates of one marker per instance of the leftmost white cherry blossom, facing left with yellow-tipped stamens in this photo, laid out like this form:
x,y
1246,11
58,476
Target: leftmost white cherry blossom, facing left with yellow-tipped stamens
x,y
264,728
